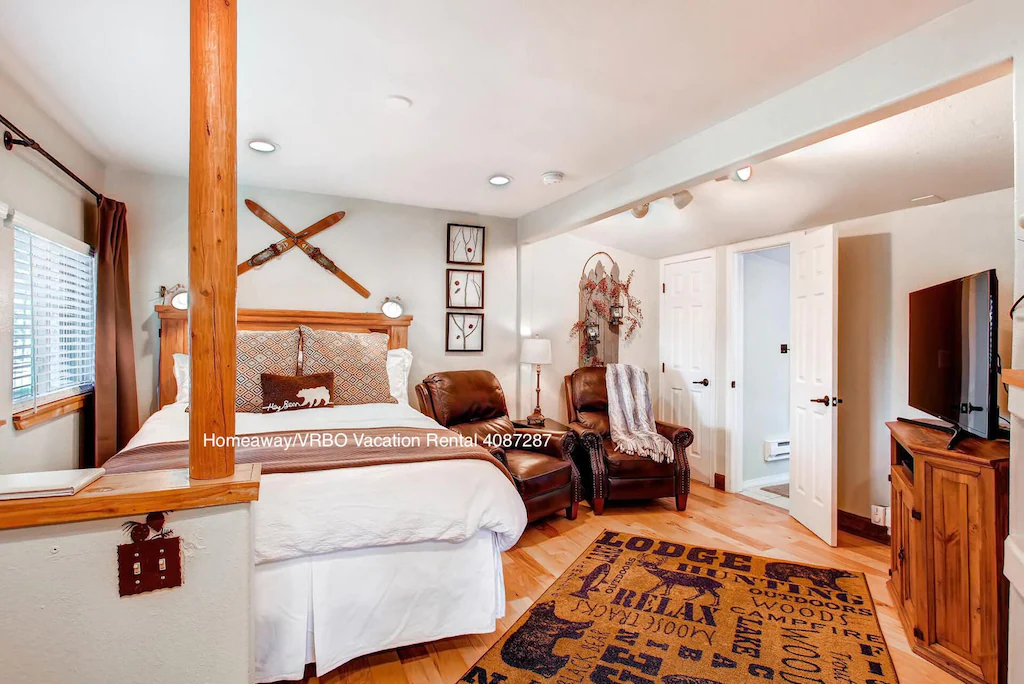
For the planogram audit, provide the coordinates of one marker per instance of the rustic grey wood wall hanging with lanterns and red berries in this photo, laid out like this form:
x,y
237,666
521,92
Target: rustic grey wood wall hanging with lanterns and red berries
x,y
608,311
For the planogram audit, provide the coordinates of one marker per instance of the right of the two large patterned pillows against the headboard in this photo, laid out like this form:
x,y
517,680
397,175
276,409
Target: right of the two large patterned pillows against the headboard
x,y
359,362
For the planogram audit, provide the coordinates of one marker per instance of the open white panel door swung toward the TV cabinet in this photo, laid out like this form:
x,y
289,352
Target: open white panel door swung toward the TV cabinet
x,y
813,380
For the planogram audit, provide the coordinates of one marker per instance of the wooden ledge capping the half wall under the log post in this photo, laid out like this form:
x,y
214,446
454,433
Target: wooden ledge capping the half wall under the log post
x,y
135,494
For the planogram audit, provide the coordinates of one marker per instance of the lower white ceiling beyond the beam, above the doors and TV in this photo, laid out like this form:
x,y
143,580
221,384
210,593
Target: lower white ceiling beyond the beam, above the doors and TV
x,y
954,148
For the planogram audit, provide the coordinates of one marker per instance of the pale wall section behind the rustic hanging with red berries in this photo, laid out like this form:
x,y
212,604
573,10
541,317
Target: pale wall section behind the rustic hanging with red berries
x,y
550,302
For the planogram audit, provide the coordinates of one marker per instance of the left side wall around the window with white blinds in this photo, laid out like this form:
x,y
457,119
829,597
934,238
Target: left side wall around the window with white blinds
x,y
33,187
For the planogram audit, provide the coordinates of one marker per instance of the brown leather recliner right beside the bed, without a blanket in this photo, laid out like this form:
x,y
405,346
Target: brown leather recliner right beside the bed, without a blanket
x,y
473,404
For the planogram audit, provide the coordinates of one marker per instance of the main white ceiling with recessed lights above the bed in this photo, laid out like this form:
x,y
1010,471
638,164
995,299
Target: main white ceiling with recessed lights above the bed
x,y
526,87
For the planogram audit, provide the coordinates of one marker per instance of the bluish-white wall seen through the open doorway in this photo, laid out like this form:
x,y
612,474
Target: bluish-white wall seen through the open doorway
x,y
766,370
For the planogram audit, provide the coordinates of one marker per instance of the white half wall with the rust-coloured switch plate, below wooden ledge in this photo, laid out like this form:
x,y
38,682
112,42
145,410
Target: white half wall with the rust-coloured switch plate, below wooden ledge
x,y
65,620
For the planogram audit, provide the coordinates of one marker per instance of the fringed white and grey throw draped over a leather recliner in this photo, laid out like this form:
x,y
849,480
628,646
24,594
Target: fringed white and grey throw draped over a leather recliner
x,y
631,415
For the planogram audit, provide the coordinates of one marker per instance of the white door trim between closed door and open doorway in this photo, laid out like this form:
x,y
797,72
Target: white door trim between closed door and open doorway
x,y
735,352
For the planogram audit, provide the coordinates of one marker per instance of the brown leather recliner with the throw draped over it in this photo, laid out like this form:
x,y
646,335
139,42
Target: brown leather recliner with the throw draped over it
x,y
608,474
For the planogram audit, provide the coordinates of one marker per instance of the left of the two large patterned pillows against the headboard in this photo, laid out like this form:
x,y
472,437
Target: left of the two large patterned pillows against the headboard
x,y
259,353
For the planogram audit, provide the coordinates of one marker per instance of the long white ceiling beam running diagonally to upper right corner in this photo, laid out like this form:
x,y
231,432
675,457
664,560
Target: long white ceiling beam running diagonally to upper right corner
x,y
963,49
